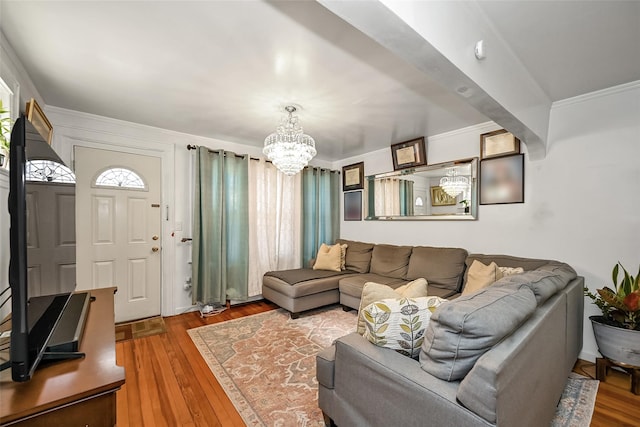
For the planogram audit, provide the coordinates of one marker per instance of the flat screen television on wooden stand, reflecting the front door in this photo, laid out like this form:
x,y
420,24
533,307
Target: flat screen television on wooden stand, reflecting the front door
x,y
42,275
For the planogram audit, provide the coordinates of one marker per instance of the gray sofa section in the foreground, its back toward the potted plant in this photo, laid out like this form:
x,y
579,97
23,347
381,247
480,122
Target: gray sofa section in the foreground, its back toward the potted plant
x,y
499,356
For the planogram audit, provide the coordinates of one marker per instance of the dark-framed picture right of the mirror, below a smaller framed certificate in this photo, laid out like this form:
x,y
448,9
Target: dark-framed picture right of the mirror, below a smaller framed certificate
x,y
502,180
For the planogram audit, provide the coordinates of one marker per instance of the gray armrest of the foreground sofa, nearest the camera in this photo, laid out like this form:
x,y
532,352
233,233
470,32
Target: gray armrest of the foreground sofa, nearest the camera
x,y
376,386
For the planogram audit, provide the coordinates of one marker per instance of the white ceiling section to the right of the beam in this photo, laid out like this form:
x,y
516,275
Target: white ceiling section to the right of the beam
x,y
571,47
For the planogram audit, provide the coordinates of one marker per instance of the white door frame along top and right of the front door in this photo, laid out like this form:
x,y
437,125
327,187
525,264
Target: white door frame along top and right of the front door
x,y
73,137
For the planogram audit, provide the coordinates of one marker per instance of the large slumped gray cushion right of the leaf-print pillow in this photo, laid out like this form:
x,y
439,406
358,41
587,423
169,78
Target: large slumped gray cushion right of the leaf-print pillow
x,y
463,330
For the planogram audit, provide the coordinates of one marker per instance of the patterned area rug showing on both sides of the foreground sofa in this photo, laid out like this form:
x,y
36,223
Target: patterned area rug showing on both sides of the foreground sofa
x,y
266,364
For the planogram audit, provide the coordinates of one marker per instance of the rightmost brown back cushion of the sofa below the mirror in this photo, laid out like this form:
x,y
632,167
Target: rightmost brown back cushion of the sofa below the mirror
x,y
442,267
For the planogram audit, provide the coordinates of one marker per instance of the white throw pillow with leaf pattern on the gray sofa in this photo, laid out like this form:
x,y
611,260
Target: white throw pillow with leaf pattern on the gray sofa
x,y
399,323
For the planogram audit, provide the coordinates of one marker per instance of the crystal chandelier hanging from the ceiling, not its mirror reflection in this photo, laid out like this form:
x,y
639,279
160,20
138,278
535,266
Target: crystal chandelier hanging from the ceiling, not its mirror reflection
x,y
289,148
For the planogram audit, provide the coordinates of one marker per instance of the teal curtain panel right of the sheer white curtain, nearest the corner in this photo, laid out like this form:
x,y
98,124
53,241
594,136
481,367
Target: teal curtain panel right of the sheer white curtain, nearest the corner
x,y
320,210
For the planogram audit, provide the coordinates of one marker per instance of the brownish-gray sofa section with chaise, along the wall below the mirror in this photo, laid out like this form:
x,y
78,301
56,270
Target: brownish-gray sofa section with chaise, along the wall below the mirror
x,y
304,289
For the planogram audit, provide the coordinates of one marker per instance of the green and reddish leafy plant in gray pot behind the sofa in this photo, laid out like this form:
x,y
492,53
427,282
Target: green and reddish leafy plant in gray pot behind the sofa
x,y
617,331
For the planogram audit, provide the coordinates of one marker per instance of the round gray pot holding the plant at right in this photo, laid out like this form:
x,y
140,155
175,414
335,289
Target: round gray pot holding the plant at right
x,y
617,344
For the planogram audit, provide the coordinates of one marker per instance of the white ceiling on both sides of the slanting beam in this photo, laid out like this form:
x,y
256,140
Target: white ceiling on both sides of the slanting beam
x,y
225,69
